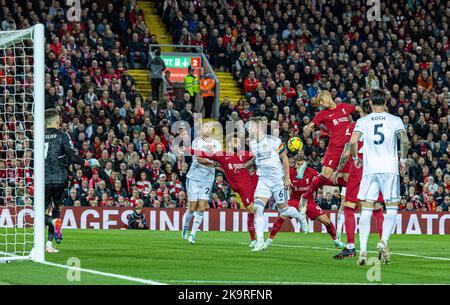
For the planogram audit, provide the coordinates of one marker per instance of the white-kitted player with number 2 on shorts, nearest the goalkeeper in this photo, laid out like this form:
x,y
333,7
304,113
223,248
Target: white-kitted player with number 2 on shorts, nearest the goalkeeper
x,y
200,179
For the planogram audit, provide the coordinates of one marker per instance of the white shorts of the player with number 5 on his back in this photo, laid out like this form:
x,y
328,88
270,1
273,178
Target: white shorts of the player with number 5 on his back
x,y
371,185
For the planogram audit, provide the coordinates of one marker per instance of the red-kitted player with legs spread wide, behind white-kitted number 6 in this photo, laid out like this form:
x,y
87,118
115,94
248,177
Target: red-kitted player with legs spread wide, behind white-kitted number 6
x,y
301,177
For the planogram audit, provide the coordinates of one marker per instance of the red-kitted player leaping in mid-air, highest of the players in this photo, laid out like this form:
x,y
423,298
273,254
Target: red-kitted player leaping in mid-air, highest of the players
x,y
335,118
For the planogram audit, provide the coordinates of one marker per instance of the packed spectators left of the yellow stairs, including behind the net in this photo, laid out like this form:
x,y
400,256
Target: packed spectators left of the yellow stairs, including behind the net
x,y
87,80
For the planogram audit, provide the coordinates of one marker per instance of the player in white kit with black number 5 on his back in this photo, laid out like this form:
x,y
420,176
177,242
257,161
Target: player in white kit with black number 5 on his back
x,y
380,131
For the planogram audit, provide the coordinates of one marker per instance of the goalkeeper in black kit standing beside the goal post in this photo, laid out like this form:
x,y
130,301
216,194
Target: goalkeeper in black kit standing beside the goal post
x,y
59,154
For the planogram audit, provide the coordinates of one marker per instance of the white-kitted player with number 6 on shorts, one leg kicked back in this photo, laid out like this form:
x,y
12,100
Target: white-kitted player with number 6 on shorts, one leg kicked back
x,y
272,168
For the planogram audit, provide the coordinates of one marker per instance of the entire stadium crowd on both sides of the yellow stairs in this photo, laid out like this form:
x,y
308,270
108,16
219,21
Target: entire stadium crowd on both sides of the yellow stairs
x,y
281,53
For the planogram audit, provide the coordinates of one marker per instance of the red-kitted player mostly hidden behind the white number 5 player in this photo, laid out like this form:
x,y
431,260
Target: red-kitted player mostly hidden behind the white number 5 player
x,y
351,194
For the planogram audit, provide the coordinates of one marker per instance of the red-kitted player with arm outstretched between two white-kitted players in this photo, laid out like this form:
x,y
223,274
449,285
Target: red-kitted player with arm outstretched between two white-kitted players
x,y
242,182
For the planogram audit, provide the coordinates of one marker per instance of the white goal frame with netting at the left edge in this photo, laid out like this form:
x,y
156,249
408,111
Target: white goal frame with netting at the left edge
x,y
22,131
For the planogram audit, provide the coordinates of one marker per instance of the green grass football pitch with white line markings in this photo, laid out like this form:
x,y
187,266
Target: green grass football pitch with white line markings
x,y
152,257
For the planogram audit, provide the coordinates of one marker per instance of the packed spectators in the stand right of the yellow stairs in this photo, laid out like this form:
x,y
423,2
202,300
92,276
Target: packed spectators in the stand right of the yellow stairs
x,y
283,52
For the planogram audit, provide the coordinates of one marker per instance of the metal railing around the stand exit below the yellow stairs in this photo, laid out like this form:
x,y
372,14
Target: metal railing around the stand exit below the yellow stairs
x,y
207,68
